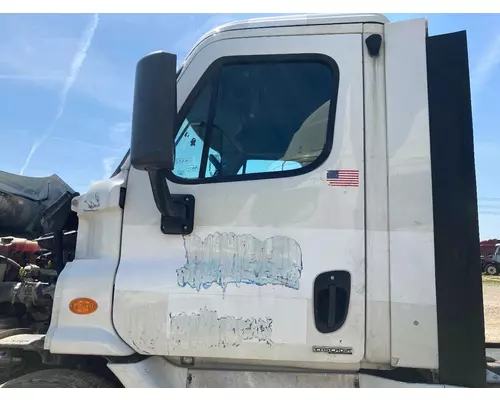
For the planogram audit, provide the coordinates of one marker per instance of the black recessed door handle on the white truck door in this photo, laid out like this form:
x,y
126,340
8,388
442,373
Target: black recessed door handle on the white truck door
x,y
332,291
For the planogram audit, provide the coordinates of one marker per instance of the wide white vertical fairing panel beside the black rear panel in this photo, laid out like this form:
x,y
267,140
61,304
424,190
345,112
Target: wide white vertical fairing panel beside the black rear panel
x,y
413,292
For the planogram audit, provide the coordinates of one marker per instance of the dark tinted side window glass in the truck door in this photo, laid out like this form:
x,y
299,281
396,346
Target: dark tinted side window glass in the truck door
x,y
258,117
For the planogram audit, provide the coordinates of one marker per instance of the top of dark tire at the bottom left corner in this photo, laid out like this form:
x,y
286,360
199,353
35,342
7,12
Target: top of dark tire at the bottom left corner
x,y
58,378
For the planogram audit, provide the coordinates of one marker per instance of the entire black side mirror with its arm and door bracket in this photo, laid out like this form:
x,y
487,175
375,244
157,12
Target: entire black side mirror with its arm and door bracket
x,y
153,134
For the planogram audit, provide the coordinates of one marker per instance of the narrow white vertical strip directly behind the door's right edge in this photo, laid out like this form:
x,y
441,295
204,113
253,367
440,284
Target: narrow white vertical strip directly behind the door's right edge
x,y
378,315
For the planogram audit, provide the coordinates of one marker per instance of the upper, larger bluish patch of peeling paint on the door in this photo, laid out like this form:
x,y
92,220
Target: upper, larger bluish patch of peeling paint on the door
x,y
227,258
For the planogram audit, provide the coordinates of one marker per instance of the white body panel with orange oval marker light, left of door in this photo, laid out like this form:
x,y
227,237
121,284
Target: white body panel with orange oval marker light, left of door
x,y
91,274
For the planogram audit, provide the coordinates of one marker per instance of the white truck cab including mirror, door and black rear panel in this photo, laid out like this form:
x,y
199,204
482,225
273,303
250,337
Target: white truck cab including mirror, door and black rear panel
x,y
283,215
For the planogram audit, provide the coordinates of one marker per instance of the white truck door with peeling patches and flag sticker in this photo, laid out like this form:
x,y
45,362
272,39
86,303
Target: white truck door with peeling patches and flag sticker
x,y
326,223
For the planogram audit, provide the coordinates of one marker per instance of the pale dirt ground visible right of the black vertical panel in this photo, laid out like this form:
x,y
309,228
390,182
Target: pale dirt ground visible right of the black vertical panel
x,y
491,301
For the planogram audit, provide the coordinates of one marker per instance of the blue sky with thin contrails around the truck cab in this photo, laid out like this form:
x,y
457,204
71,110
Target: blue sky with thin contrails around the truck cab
x,y
66,90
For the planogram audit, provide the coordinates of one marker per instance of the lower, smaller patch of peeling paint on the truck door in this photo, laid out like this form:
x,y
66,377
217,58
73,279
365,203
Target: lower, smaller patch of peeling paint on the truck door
x,y
205,327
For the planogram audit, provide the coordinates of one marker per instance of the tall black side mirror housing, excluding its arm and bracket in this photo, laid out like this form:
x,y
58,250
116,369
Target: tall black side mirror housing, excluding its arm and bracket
x,y
155,111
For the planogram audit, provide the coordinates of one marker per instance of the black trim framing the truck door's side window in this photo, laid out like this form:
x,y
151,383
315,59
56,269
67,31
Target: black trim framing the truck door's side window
x,y
211,76
